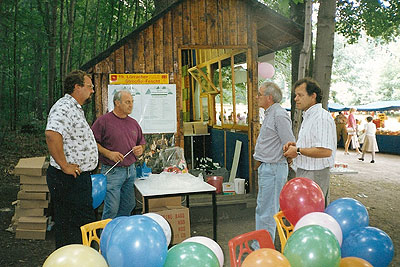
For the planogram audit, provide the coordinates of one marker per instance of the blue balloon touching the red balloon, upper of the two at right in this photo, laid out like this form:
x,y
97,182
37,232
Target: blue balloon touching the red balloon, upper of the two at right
x,y
349,213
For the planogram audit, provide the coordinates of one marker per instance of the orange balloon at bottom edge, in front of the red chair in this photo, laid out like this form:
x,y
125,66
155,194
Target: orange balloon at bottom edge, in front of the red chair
x,y
265,257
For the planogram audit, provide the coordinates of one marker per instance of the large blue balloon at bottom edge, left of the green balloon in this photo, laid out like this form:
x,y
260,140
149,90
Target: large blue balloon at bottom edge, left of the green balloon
x,y
137,239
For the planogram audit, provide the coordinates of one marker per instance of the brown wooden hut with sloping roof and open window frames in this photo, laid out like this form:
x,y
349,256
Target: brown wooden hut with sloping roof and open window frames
x,y
196,43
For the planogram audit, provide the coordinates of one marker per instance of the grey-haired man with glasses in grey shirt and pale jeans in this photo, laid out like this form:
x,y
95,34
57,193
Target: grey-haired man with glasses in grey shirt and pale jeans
x,y
276,130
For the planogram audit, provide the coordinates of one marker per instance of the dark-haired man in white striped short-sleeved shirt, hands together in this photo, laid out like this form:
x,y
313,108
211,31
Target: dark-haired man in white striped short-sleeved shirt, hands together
x,y
314,152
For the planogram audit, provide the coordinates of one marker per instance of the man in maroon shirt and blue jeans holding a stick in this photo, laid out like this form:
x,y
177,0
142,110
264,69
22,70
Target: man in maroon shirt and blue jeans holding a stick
x,y
116,134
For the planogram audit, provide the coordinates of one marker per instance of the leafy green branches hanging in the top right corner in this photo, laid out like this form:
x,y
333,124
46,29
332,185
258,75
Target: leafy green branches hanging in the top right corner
x,y
377,18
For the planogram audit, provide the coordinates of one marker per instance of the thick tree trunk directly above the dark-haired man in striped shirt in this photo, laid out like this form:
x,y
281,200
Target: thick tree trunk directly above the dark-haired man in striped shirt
x,y
324,47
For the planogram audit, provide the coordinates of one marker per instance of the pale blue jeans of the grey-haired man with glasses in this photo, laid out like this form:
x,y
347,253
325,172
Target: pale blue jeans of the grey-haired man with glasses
x,y
271,179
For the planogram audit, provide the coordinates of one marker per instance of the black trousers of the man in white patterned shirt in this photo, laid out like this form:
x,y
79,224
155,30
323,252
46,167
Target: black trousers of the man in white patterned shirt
x,y
72,205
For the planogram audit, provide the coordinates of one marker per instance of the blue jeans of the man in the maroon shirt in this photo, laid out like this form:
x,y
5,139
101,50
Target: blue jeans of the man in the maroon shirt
x,y
120,197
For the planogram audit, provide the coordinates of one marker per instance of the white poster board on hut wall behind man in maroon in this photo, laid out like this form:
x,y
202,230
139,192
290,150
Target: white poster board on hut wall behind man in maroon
x,y
154,105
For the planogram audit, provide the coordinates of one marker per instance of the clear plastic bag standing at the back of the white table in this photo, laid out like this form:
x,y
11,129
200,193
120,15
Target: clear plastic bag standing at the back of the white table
x,y
173,160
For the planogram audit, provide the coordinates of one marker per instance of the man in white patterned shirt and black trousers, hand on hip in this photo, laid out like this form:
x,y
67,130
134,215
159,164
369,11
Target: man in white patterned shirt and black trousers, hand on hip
x,y
73,155
